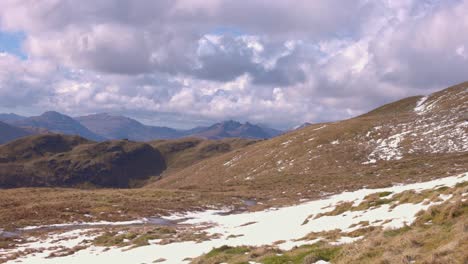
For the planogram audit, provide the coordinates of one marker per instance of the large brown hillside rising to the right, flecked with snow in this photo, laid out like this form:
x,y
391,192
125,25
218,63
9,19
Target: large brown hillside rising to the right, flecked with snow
x,y
423,136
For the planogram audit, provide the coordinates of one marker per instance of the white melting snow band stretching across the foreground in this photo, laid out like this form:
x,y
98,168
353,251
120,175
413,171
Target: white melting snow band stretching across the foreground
x,y
253,228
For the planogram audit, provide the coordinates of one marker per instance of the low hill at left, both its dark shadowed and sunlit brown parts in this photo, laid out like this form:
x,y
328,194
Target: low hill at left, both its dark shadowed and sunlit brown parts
x,y
60,160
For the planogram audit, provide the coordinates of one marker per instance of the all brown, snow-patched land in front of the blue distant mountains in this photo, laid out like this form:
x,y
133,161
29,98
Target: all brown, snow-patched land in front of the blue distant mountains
x,y
397,172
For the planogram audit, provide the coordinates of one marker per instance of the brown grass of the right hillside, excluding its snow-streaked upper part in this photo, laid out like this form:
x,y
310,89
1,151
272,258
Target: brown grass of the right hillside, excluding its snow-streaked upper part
x,y
307,170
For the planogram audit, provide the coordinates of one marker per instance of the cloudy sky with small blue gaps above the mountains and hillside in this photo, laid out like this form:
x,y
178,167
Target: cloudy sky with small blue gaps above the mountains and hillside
x,y
184,63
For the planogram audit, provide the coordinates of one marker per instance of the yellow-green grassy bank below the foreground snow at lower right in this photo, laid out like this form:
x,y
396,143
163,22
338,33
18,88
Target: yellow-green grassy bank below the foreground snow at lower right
x,y
438,235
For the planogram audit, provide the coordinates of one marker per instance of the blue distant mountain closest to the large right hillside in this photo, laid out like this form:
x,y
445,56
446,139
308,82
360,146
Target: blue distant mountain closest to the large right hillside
x,y
234,129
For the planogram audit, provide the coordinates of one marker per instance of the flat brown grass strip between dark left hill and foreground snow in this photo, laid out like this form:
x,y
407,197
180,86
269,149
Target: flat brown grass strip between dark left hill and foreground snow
x,y
40,206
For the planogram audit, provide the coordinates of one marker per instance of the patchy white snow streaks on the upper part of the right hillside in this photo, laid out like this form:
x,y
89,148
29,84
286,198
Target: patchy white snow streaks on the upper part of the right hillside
x,y
443,131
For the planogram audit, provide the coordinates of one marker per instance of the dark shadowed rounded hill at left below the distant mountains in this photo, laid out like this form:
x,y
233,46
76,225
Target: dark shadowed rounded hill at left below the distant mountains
x,y
60,160
